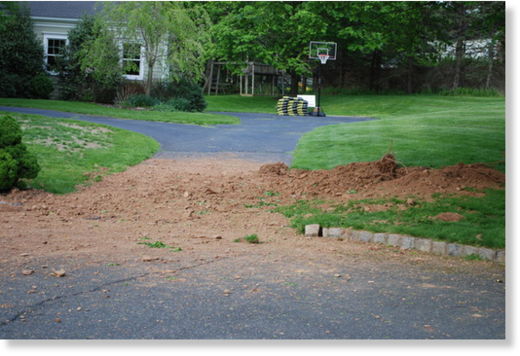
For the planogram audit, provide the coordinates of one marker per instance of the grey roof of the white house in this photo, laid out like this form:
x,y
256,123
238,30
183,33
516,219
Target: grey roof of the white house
x,y
62,9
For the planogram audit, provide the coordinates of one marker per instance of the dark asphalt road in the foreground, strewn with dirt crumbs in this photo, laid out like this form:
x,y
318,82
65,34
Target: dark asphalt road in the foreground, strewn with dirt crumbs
x,y
251,296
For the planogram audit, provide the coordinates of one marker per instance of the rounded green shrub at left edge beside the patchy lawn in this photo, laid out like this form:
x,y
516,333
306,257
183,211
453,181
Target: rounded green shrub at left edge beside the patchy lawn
x,y
15,161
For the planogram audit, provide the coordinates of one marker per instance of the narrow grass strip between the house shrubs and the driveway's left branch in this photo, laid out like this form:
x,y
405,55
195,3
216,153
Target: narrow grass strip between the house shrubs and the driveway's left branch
x,y
84,108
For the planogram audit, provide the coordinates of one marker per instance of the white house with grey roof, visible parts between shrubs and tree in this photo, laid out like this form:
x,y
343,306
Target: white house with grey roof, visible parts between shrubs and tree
x,y
54,19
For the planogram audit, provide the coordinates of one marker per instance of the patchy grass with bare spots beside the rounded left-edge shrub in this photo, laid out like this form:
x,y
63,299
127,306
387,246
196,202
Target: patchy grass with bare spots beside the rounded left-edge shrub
x,y
73,152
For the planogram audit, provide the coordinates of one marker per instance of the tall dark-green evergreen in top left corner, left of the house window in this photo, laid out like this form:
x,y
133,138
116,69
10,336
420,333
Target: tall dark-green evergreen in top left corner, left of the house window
x,y
21,55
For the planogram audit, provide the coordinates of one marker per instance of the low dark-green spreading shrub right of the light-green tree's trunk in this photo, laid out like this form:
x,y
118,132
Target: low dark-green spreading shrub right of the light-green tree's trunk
x,y
185,89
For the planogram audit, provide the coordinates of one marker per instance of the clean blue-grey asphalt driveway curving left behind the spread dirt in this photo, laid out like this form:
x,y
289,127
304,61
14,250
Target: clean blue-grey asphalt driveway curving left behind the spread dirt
x,y
259,137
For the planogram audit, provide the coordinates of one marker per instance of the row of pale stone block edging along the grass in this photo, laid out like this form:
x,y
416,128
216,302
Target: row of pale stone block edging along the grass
x,y
406,242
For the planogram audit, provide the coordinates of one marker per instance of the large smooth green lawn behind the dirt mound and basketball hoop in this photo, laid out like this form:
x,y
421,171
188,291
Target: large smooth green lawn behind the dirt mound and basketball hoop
x,y
424,130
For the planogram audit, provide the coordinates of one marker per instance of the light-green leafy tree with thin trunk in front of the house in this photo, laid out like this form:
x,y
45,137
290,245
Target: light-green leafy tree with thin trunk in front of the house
x,y
171,32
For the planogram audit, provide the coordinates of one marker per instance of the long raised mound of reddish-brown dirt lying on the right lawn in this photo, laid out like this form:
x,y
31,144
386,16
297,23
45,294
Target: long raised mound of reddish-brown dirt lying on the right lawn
x,y
383,177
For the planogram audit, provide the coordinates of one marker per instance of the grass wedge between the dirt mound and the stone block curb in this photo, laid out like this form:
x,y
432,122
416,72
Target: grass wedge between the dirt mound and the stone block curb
x,y
483,222
